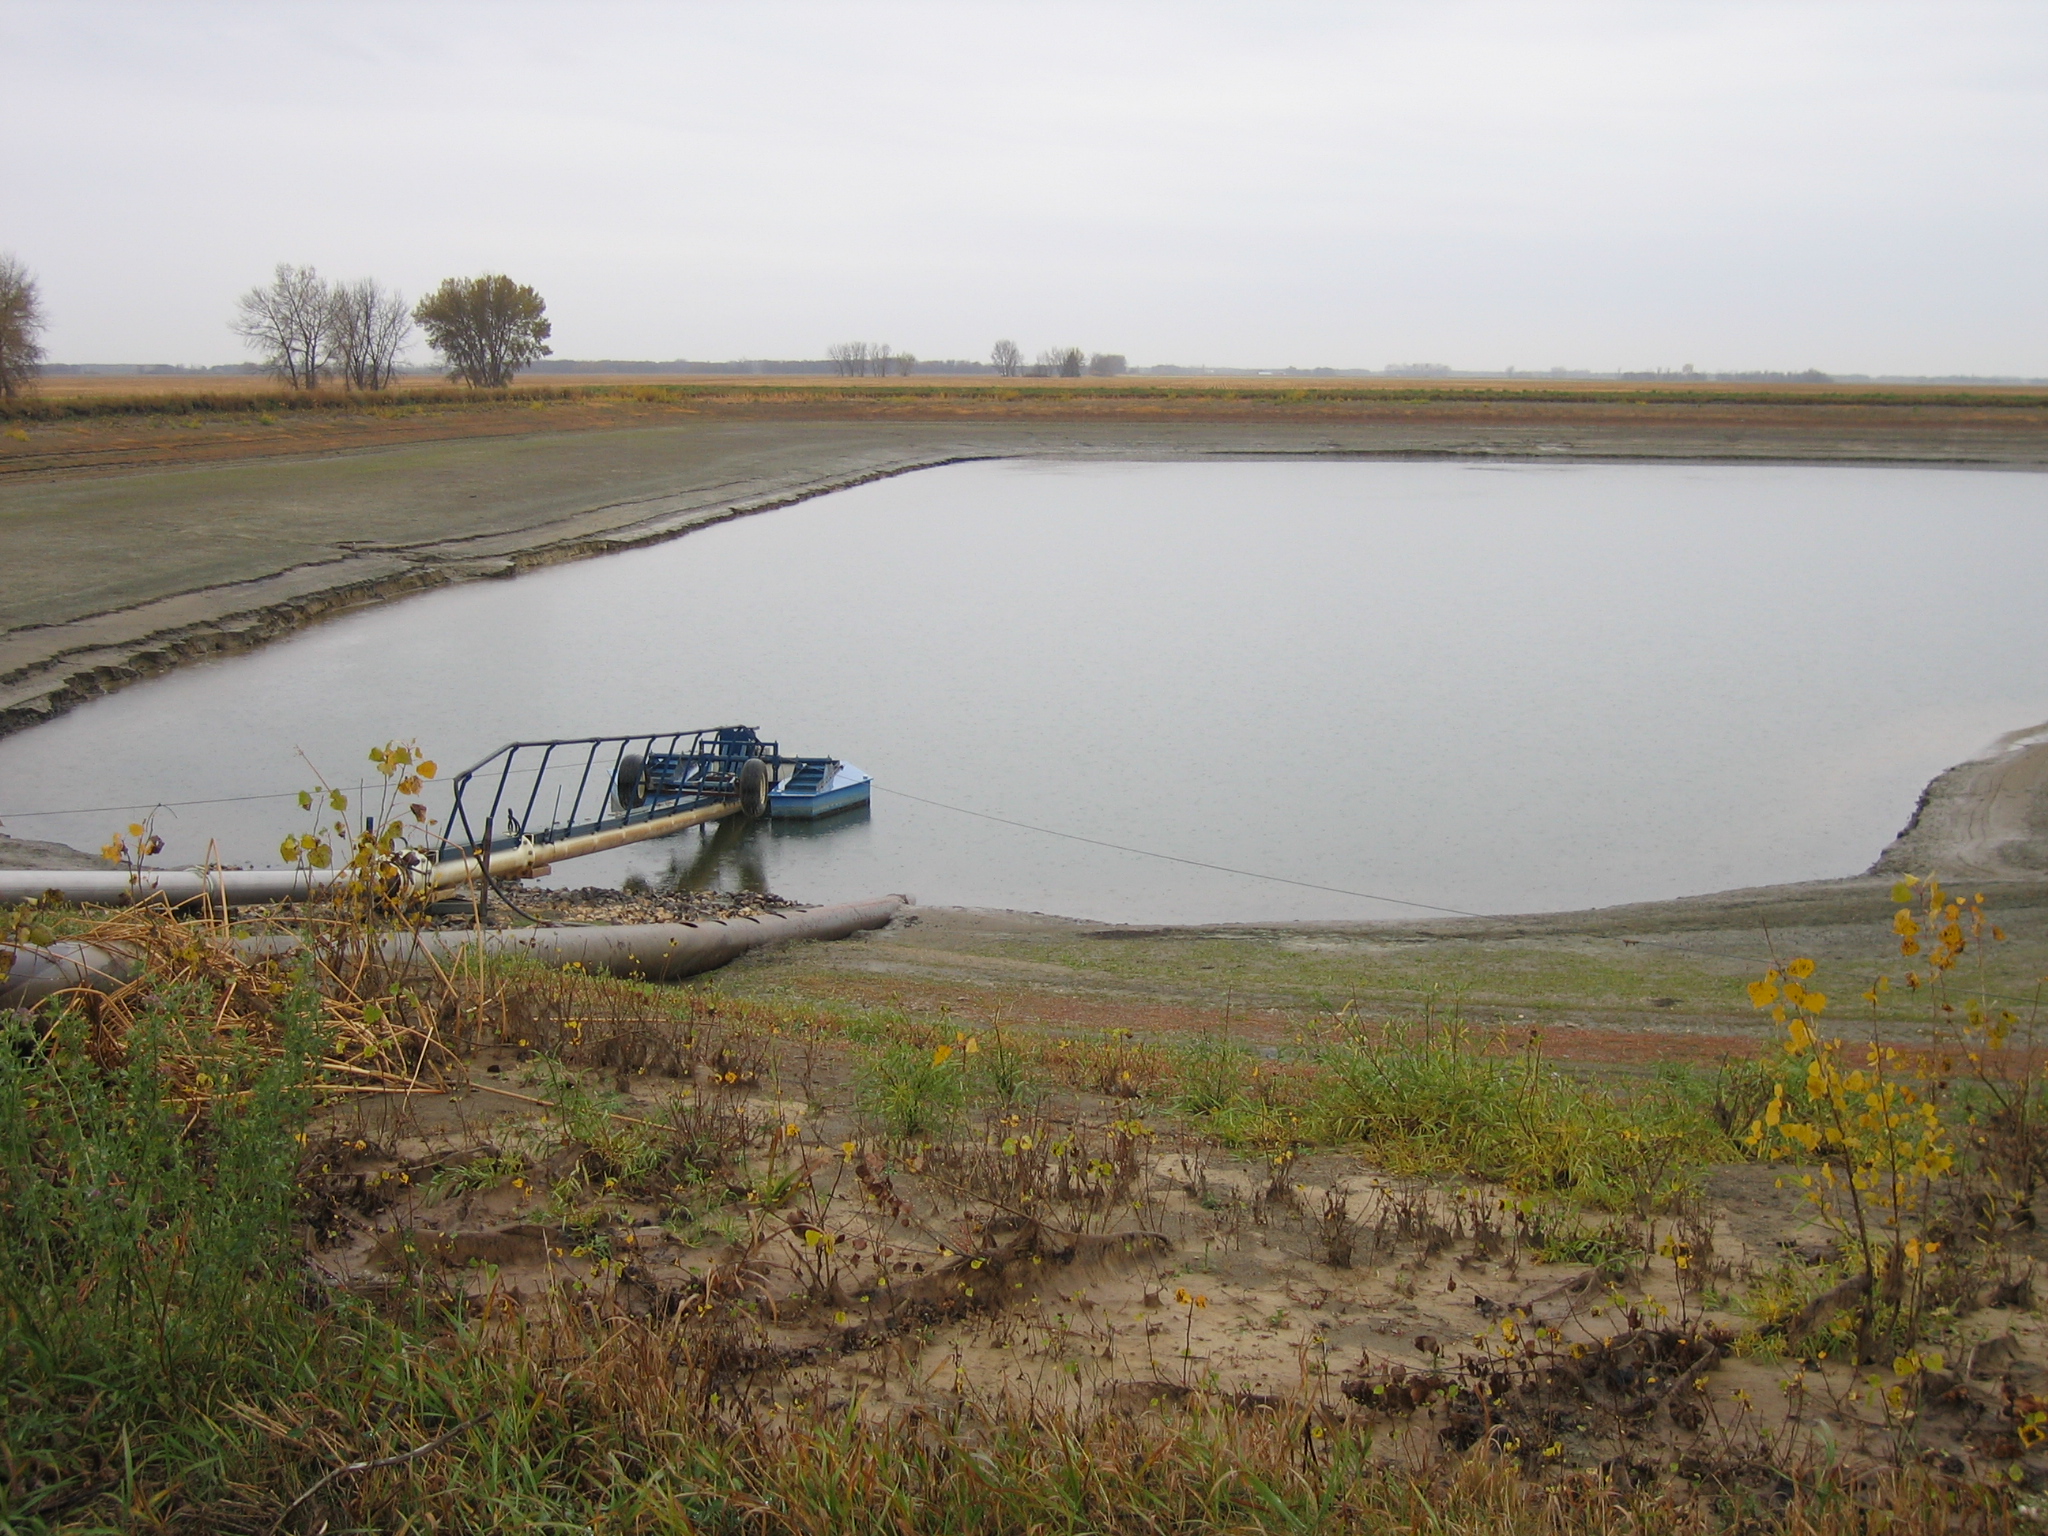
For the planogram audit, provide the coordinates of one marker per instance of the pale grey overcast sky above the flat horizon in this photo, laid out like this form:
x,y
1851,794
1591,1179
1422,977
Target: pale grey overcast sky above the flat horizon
x,y
1859,187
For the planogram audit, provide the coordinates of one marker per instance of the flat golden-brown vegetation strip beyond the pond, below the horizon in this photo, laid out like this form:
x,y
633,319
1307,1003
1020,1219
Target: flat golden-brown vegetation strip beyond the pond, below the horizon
x,y
97,425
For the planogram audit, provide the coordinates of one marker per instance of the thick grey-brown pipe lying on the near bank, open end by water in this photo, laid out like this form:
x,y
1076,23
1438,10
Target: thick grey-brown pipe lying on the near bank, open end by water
x,y
640,951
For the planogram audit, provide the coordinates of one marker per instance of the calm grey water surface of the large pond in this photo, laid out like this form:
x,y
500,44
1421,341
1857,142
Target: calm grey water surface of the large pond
x,y
1500,689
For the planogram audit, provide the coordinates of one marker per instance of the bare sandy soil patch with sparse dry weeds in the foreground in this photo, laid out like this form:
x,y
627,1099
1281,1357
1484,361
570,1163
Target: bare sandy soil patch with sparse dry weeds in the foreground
x,y
1080,1252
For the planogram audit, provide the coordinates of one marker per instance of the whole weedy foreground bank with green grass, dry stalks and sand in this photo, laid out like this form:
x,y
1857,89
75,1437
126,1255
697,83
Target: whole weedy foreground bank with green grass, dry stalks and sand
x,y
321,1246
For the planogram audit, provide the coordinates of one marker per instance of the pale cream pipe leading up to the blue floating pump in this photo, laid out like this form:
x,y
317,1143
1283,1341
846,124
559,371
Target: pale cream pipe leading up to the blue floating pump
x,y
245,888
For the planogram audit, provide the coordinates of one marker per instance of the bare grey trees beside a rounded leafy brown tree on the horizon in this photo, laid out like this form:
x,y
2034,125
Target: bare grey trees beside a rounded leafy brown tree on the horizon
x,y
306,329
